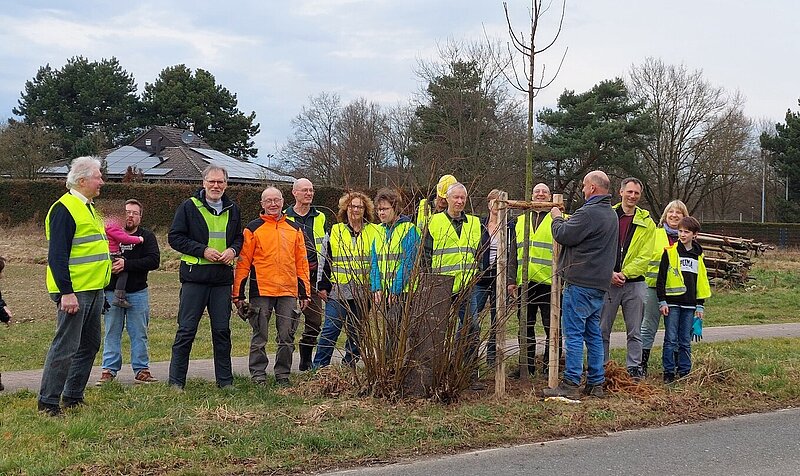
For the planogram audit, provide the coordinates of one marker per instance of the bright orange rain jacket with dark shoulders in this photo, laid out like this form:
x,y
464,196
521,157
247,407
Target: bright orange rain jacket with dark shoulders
x,y
273,256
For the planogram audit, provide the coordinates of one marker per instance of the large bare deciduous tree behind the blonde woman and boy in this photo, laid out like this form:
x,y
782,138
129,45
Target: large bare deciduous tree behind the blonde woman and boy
x,y
700,133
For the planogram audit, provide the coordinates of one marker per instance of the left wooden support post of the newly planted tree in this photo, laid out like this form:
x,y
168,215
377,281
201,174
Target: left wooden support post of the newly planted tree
x,y
501,291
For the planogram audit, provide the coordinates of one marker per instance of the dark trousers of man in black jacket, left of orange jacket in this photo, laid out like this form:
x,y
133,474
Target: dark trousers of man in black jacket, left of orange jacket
x,y
194,299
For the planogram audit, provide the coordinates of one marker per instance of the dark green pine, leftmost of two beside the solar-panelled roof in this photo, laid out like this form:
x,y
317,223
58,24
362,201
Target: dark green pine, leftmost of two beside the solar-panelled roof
x,y
82,98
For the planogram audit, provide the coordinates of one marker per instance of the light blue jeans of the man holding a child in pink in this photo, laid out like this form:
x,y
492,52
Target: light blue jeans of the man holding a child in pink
x,y
135,319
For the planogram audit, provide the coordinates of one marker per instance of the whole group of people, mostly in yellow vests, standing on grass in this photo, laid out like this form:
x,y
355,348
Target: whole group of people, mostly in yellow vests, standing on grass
x,y
300,269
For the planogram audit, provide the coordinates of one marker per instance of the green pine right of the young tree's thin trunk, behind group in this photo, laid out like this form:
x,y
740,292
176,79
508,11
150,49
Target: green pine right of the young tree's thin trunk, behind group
x,y
599,129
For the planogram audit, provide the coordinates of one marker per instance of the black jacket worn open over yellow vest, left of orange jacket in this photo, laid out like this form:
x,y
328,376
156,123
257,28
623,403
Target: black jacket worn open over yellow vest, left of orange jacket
x,y
189,235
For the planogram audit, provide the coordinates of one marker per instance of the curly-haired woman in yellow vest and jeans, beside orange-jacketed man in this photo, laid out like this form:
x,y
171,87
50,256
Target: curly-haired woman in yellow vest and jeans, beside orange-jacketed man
x,y
345,277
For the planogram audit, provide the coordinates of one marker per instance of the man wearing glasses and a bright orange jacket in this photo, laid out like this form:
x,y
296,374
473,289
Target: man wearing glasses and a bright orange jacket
x,y
274,258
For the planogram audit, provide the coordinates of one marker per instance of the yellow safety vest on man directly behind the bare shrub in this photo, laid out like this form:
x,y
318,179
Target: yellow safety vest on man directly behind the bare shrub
x,y
454,255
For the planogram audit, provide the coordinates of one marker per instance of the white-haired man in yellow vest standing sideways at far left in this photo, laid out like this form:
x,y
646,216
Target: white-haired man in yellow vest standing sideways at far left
x,y
78,269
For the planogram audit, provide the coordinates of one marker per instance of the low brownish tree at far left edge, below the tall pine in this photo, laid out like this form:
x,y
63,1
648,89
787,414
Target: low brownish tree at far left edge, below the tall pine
x,y
26,148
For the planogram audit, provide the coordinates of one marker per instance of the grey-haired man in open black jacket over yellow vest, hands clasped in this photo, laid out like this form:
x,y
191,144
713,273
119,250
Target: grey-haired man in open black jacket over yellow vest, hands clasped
x,y
207,231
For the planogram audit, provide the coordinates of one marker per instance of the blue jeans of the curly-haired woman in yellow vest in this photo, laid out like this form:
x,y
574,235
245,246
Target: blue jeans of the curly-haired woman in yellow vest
x,y
337,314
